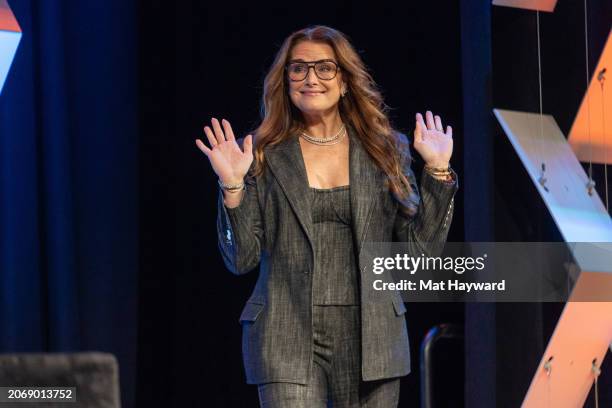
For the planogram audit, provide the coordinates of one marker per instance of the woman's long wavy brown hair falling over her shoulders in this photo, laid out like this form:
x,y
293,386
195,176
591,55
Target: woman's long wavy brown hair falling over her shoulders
x,y
362,108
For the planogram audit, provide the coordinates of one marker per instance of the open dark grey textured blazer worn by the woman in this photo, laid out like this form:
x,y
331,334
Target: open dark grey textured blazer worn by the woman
x,y
272,227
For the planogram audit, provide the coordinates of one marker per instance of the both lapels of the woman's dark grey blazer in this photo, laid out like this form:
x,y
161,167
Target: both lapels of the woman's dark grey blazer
x,y
365,178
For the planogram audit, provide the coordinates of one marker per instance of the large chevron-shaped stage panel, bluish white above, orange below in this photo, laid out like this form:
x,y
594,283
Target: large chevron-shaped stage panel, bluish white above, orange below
x,y
584,330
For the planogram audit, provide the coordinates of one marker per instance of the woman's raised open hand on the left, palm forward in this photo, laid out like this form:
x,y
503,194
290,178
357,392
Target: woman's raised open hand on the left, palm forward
x,y
229,162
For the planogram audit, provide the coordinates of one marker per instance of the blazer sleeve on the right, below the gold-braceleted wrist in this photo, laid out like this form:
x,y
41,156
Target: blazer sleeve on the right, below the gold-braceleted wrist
x,y
427,230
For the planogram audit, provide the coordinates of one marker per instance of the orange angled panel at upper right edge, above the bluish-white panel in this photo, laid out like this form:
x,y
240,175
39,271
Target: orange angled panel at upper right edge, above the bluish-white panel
x,y
594,117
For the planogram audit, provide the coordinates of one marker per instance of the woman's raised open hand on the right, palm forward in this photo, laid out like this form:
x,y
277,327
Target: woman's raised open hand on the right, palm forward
x,y
433,144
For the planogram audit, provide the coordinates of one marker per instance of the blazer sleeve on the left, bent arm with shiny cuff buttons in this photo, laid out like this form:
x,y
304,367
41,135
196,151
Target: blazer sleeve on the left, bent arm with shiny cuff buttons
x,y
239,230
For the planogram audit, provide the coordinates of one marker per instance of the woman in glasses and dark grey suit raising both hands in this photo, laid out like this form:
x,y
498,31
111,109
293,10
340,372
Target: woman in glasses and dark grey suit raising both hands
x,y
328,173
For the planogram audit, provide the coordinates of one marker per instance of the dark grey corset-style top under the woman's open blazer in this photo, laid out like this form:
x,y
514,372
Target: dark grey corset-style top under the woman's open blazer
x,y
335,280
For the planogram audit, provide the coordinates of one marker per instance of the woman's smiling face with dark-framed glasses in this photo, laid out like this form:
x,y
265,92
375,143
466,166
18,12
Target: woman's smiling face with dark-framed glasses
x,y
312,95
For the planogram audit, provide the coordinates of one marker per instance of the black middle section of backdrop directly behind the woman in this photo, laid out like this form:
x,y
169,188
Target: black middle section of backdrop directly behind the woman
x,y
204,59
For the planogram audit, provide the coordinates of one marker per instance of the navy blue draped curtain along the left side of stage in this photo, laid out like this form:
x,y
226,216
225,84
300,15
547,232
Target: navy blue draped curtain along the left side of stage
x,y
68,183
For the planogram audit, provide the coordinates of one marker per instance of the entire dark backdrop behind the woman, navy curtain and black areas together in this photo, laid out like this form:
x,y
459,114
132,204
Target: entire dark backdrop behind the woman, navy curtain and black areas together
x,y
107,208
